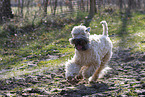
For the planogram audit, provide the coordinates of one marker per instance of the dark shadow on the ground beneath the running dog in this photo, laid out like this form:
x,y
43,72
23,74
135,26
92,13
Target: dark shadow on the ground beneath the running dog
x,y
84,89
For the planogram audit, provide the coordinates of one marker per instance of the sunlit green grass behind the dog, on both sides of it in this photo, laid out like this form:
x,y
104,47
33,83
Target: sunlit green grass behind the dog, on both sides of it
x,y
18,48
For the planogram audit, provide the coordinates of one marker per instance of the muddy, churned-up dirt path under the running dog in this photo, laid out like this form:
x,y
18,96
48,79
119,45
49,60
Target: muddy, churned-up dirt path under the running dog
x,y
127,78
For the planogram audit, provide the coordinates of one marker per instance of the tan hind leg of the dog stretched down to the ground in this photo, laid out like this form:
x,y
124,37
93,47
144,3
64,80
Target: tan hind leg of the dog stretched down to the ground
x,y
95,76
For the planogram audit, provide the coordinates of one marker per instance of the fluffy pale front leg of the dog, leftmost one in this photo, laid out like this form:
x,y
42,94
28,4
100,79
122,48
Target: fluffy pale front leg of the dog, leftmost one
x,y
72,69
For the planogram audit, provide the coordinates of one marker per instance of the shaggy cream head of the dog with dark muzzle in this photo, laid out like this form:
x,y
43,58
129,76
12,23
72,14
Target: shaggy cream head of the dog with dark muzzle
x,y
80,37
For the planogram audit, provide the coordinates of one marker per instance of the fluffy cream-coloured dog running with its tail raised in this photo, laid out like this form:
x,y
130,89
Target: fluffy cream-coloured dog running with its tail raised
x,y
92,52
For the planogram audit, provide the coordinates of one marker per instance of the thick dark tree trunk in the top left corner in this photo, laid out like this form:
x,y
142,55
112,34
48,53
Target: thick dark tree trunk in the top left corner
x,y
5,10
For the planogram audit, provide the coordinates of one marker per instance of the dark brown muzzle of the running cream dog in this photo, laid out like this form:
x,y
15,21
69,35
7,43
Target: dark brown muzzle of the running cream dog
x,y
80,43
